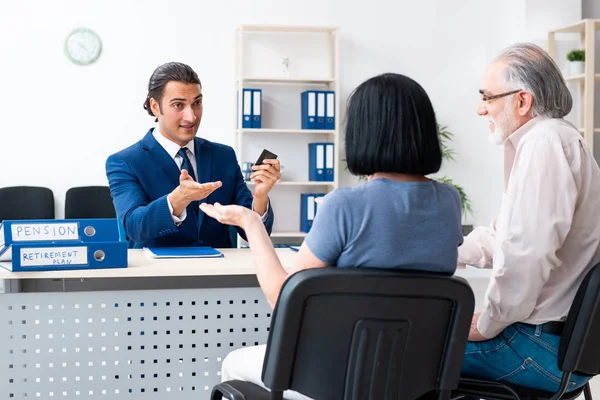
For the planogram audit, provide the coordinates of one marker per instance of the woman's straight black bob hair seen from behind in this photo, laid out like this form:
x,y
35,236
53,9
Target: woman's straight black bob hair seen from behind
x,y
391,127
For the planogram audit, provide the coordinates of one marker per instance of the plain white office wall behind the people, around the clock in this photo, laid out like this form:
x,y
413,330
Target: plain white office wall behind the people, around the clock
x,y
61,121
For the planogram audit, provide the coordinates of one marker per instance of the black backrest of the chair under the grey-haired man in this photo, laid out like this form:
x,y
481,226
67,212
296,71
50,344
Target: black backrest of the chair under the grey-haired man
x,y
579,349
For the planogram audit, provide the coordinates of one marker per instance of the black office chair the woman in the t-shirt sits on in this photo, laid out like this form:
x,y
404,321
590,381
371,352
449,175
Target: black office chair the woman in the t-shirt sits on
x,y
363,334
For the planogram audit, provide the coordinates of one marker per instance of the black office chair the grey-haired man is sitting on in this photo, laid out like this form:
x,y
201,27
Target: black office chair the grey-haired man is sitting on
x,y
579,351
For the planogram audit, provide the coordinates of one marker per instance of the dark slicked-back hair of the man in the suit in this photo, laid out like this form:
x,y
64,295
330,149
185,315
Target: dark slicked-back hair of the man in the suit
x,y
172,71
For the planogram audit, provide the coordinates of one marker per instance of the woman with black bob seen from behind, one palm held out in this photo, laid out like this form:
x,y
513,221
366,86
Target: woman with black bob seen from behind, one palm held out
x,y
399,217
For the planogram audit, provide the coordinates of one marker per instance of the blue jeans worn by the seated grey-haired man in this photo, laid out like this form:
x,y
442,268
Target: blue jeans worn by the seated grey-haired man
x,y
520,355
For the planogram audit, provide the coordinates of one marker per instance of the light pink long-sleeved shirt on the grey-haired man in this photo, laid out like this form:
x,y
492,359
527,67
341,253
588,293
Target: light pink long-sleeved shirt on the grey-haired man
x,y
547,234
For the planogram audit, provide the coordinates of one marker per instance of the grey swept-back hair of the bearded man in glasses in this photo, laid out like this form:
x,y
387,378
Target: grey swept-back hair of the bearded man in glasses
x,y
531,69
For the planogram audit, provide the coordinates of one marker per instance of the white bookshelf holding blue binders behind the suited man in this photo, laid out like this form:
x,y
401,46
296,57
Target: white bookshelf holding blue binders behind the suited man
x,y
314,57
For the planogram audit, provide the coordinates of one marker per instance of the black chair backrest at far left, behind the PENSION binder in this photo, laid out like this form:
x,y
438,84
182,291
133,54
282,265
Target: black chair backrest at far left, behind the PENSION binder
x,y
26,202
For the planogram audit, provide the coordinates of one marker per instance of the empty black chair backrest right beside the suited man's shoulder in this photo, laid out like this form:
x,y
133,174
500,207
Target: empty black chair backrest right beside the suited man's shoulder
x,y
89,202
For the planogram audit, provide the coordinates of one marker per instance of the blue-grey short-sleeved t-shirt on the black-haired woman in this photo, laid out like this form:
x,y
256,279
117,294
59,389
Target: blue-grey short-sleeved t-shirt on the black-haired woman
x,y
389,224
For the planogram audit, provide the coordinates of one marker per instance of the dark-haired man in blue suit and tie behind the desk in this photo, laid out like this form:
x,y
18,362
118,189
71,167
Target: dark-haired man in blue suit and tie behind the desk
x,y
153,182
